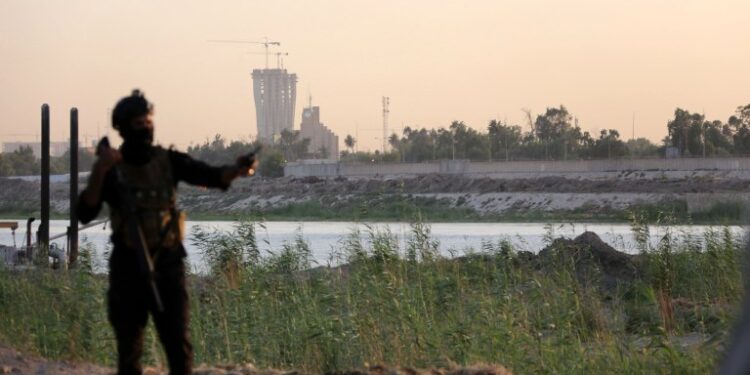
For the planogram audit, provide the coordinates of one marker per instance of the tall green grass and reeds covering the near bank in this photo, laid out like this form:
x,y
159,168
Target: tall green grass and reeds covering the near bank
x,y
411,306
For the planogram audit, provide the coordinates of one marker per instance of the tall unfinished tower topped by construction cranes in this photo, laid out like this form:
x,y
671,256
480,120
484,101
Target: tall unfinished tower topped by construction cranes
x,y
275,92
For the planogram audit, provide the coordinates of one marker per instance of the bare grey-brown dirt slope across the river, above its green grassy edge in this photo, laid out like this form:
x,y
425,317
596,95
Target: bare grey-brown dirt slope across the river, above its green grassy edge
x,y
481,194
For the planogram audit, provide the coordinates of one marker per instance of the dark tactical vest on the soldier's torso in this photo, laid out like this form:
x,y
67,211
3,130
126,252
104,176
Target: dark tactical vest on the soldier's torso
x,y
153,190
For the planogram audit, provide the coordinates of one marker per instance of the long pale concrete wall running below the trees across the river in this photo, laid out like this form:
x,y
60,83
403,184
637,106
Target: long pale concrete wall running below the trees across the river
x,y
333,169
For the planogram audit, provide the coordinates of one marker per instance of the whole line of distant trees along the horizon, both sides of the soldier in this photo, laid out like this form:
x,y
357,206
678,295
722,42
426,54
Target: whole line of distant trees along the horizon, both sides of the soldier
x,y
553,135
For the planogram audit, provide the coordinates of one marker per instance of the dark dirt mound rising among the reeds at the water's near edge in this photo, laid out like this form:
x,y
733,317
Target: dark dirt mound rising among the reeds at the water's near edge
x,y
595,261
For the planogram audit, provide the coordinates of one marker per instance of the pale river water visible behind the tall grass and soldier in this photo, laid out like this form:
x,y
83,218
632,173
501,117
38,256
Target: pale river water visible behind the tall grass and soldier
x,y
326,238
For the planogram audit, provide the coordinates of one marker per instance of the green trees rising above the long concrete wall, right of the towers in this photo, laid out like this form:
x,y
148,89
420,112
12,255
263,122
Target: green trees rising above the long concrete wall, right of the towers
x,y
556,135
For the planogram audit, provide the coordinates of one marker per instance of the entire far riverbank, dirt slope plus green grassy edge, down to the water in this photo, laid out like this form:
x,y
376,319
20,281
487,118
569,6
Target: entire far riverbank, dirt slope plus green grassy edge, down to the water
x,y
703,198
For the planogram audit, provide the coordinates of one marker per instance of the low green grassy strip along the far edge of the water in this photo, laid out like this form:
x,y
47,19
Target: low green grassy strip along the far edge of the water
x,y
721,213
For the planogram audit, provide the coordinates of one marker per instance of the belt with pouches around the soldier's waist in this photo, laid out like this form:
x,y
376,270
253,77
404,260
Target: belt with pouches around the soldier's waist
x,y
162,229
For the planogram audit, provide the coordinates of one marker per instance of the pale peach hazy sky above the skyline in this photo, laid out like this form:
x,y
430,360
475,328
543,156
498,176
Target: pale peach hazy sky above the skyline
x,y
438,61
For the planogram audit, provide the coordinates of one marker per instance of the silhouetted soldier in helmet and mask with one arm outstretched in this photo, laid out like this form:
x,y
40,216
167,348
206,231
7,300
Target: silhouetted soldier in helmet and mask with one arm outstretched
x,y
148,175
